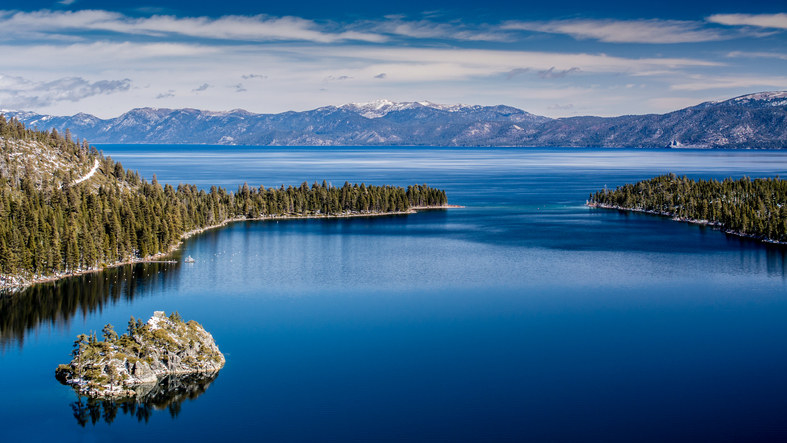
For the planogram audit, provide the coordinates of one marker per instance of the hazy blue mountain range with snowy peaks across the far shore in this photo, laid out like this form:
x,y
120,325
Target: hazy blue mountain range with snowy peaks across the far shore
x,y
751,121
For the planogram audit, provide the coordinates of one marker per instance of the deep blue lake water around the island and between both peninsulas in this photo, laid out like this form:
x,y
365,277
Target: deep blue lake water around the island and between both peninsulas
x,y
524,316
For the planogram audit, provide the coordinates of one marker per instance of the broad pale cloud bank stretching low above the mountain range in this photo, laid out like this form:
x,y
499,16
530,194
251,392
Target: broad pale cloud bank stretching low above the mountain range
x,y
296,73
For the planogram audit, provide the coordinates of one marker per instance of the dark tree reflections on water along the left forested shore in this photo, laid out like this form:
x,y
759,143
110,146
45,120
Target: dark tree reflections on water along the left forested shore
x,y
58,302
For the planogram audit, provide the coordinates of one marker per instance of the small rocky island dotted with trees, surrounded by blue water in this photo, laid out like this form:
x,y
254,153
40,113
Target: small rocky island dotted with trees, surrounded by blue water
x,y
130,365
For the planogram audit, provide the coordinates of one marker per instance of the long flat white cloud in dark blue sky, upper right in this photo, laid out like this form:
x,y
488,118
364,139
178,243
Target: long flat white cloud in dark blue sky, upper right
x,y
623,31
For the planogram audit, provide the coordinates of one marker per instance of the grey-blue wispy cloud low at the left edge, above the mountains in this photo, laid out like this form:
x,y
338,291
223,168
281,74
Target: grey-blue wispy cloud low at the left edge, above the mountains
x,y
18,92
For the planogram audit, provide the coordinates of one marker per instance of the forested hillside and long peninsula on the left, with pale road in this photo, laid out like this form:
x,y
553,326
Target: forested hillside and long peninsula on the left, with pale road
x,y
66,209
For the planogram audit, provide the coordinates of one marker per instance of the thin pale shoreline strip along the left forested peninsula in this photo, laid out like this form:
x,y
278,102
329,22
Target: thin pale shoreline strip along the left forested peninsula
x,y
16,286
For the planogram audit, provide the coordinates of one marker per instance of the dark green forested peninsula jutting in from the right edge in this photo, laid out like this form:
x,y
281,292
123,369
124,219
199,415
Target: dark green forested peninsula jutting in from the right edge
x,y
750,208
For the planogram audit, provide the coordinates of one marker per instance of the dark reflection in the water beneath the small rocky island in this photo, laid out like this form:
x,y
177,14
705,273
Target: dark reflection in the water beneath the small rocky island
x,y
168,394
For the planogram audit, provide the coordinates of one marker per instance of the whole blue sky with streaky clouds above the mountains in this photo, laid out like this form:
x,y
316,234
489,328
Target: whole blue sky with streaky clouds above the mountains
x,y
552,58
